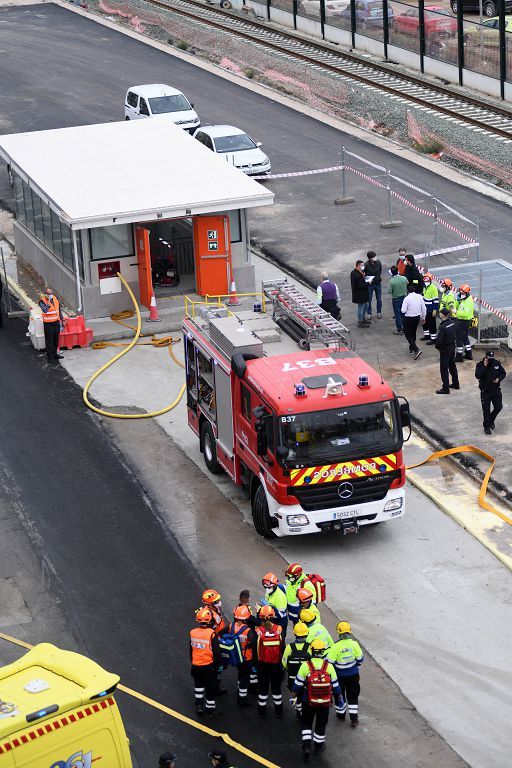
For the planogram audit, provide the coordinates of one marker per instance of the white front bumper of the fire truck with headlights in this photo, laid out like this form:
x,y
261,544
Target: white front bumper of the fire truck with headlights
x,y
326,520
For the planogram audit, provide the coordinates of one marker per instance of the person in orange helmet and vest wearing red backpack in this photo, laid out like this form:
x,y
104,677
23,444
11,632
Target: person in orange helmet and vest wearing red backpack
x,y
269,655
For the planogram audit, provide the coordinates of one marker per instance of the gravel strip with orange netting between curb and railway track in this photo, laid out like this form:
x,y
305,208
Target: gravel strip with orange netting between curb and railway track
x,y
462,148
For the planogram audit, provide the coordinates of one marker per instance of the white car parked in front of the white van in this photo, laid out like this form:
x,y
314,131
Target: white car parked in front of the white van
x,y
239,148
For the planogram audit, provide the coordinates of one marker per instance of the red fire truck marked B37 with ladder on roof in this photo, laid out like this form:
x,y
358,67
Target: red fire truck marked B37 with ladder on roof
x,y
313,437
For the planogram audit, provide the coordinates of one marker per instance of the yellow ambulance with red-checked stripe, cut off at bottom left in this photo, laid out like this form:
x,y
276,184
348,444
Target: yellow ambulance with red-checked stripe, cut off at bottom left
x,y
57,710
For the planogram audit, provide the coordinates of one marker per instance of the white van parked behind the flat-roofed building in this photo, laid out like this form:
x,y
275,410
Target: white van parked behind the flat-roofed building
x,y
159,99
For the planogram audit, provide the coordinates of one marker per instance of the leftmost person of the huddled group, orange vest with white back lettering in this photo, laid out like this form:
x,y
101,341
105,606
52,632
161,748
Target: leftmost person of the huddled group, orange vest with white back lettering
x,y
206,660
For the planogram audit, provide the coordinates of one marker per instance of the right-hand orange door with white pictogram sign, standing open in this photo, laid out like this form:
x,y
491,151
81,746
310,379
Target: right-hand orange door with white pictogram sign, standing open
x,y
212,255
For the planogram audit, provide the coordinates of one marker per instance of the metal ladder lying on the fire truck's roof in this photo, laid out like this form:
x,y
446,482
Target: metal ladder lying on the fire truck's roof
x,y
315,323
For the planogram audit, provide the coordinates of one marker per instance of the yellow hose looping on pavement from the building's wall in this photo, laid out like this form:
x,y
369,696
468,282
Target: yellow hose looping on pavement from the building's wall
x,y
168,341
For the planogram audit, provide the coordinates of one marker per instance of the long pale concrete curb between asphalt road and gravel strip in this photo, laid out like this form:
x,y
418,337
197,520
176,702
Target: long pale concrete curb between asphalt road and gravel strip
x,y
394,148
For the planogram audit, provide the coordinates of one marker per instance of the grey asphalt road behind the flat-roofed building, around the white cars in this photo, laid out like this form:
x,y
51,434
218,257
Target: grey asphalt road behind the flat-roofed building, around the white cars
x,y
59,69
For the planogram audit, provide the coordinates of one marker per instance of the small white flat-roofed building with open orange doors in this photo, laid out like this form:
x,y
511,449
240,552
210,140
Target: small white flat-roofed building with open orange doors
x,y
142,198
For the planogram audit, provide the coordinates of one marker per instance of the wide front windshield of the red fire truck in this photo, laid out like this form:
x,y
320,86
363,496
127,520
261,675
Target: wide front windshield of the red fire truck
x,y
328,436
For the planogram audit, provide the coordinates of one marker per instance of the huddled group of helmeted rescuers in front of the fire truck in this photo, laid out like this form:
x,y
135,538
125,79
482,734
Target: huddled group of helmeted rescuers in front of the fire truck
x,y
318,670
